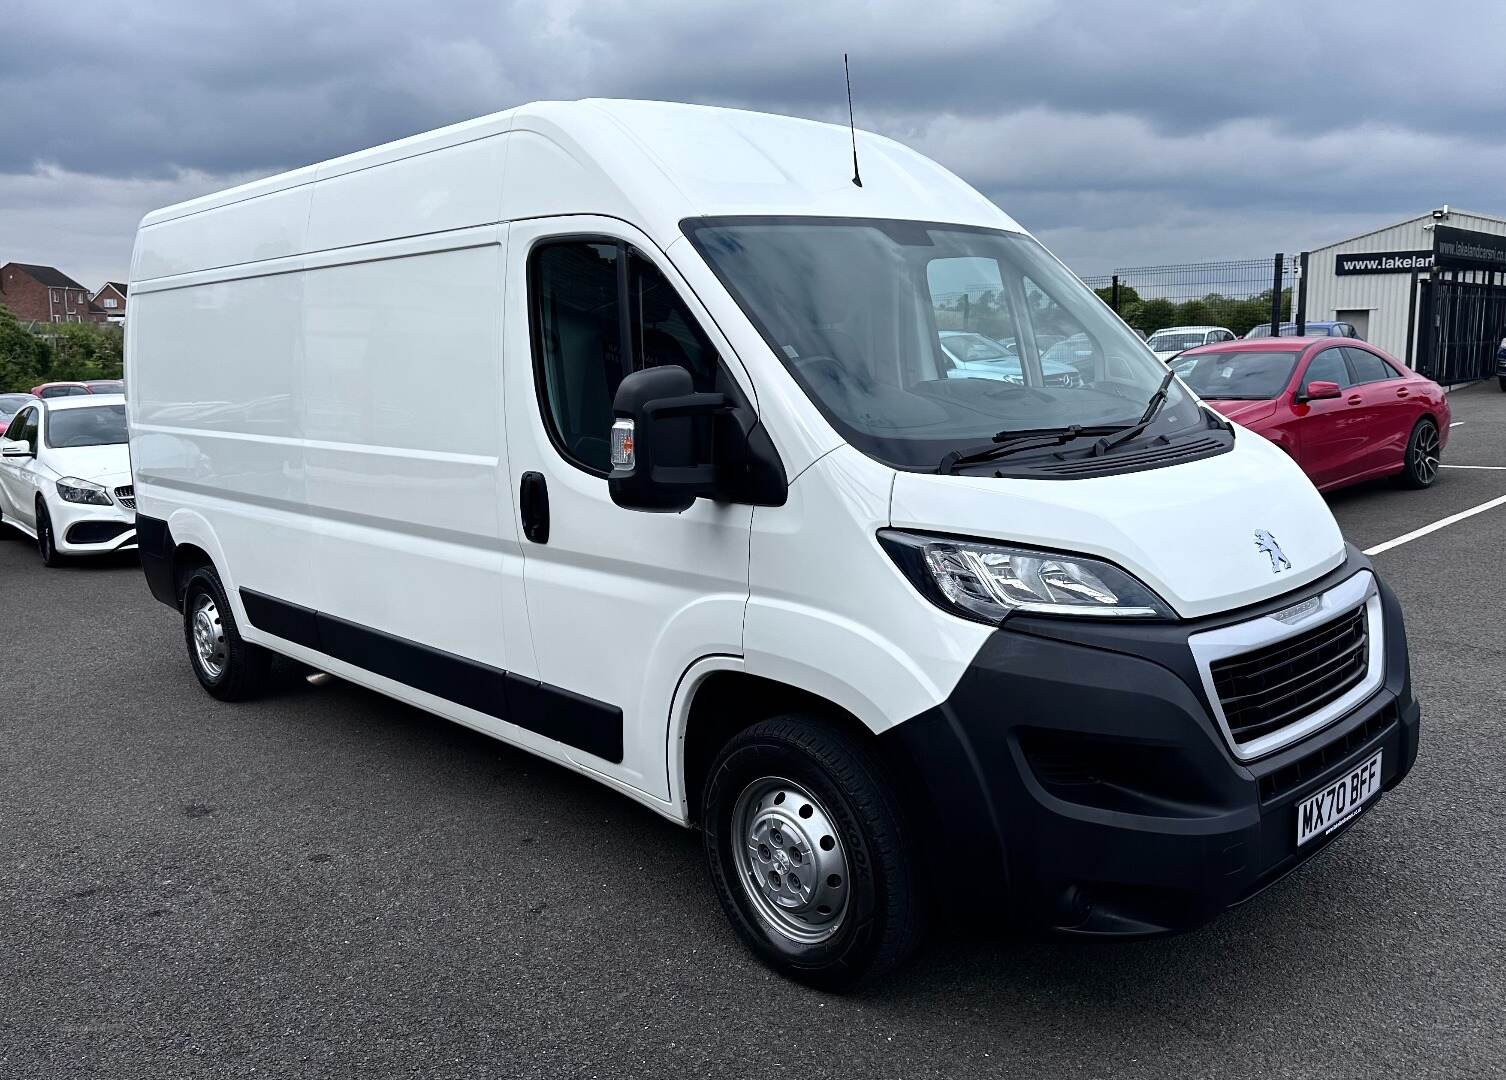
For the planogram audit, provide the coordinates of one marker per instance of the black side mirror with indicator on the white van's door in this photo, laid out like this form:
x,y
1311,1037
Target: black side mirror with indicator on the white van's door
x,y
662,442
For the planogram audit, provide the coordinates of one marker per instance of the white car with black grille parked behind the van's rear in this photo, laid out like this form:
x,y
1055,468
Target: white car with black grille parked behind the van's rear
x,y
66,477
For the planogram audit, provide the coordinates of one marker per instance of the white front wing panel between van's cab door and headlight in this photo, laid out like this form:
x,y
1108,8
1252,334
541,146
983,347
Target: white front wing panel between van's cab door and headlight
x,y
832,614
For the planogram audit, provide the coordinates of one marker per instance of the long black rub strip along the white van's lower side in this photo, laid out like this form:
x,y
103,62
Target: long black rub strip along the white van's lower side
x,y
552,712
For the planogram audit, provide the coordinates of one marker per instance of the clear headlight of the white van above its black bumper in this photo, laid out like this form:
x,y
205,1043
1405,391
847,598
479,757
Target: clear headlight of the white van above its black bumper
x,y
989,582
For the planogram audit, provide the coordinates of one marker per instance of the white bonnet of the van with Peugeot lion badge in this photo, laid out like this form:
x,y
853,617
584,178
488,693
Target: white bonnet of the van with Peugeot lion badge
x,y
1162,525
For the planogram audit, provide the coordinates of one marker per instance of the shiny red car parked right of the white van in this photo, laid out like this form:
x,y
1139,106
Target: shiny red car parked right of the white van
x,y
1346,410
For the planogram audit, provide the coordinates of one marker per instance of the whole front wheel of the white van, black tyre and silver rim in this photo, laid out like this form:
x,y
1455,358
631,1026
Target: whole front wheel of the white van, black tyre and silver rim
x,y
805,838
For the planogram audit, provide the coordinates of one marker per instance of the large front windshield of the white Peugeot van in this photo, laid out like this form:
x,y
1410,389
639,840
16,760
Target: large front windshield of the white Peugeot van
x,y
871,319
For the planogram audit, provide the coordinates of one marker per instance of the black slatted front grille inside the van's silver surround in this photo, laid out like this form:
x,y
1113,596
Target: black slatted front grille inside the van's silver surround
x,y
1266,691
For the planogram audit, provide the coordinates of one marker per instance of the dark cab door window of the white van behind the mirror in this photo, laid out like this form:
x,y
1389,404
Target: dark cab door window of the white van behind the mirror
x,y
602,311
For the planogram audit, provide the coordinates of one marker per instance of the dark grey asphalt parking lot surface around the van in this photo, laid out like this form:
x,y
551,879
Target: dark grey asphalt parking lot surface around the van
x,y
329,883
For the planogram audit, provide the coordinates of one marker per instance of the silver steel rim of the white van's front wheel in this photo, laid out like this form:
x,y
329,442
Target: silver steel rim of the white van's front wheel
x,y
791,861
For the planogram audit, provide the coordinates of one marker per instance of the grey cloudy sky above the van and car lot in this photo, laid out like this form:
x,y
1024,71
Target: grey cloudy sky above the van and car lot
x,y
1121,133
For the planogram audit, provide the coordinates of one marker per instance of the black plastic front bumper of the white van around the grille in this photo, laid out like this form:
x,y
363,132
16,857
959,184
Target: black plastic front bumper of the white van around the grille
x,y
1079,776
